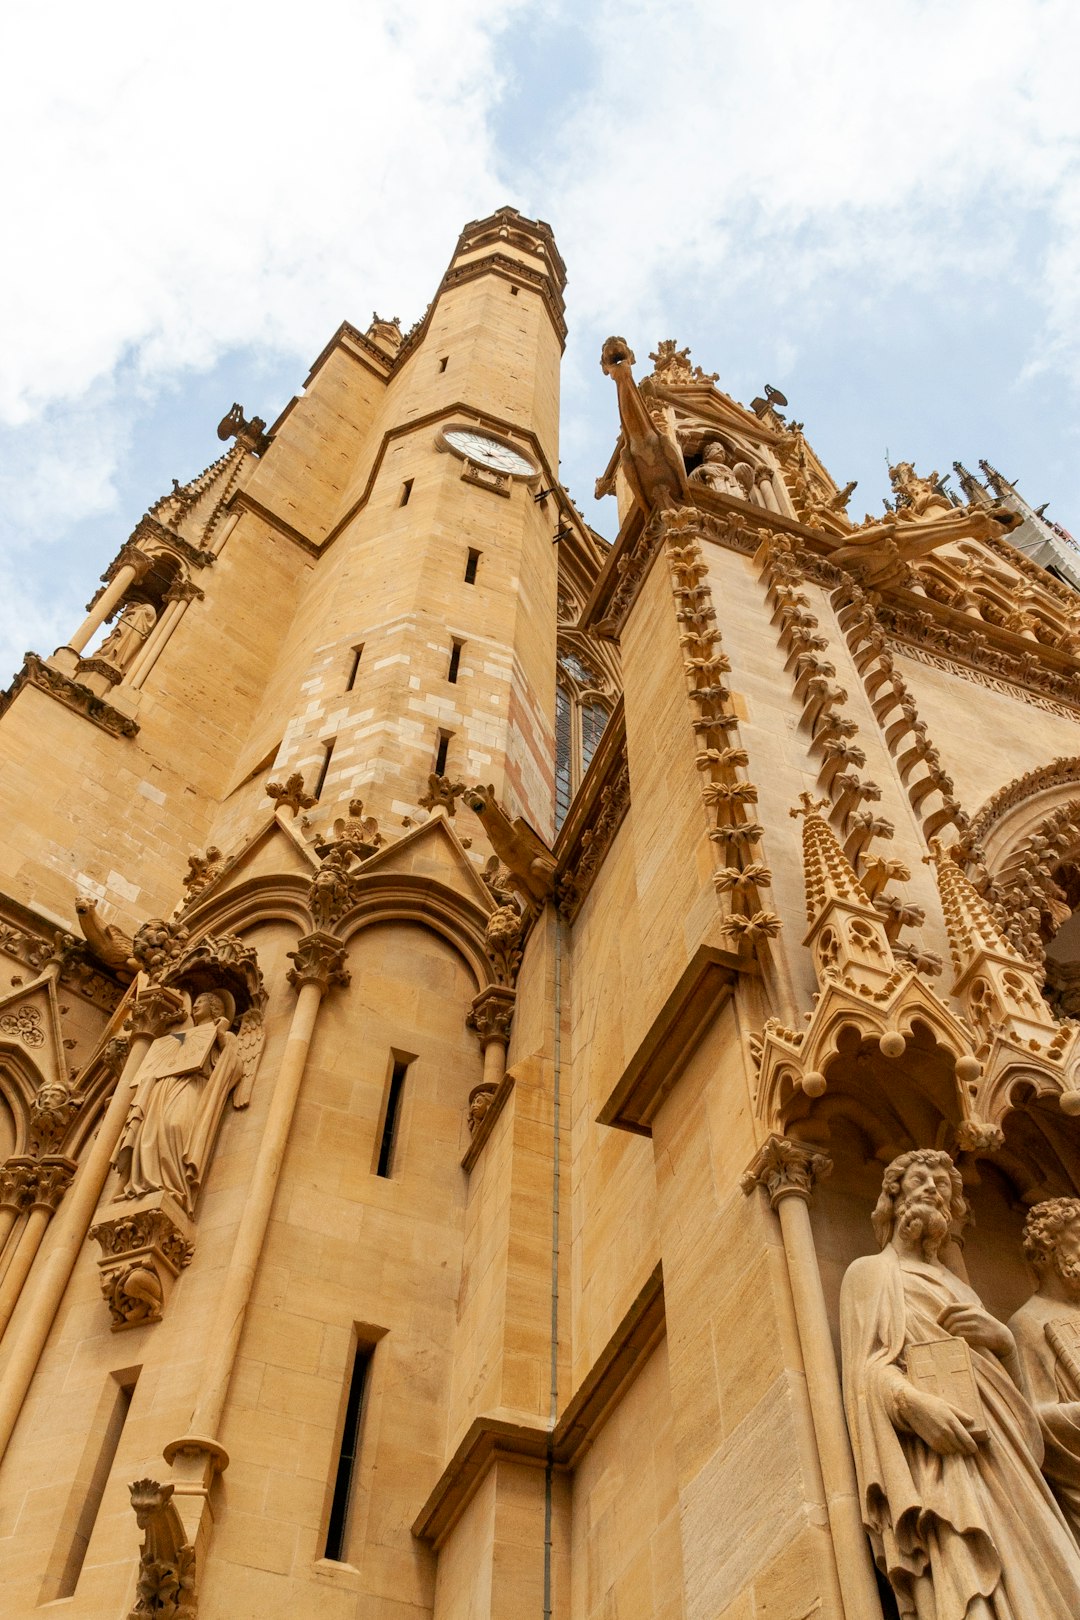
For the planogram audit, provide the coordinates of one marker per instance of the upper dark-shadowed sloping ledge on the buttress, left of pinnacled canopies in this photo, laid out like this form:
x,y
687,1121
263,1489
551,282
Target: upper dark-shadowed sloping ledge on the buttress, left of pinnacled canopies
x,y
676,1034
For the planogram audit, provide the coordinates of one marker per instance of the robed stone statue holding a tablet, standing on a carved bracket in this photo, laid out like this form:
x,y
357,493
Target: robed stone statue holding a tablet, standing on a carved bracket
x,y
179,1096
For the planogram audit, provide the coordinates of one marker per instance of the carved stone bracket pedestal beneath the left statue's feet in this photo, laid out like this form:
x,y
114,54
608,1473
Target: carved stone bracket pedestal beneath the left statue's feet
x,y
145,1247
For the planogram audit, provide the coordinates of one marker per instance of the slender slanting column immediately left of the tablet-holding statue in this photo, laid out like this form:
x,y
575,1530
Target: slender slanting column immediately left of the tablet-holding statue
x,y
153,1013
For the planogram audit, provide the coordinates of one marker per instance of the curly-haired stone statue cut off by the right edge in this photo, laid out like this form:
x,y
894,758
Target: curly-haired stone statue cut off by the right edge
x,y
1047,1331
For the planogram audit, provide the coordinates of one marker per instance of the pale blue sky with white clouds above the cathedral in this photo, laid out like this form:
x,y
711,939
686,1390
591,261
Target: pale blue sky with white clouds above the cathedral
x,y
875,208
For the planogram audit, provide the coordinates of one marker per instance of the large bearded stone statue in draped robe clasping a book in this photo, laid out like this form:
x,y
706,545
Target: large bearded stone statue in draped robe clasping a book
x,y
948,1449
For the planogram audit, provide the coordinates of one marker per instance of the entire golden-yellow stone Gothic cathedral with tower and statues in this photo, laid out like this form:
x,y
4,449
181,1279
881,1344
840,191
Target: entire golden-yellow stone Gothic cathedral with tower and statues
x,y
543,1078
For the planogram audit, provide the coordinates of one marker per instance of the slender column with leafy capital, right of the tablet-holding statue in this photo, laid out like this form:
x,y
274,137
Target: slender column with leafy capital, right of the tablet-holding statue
x,y
198,1457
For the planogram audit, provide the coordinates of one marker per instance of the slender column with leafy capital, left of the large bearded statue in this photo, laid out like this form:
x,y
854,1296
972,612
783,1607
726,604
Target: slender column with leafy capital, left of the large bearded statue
x,y
788,1172
